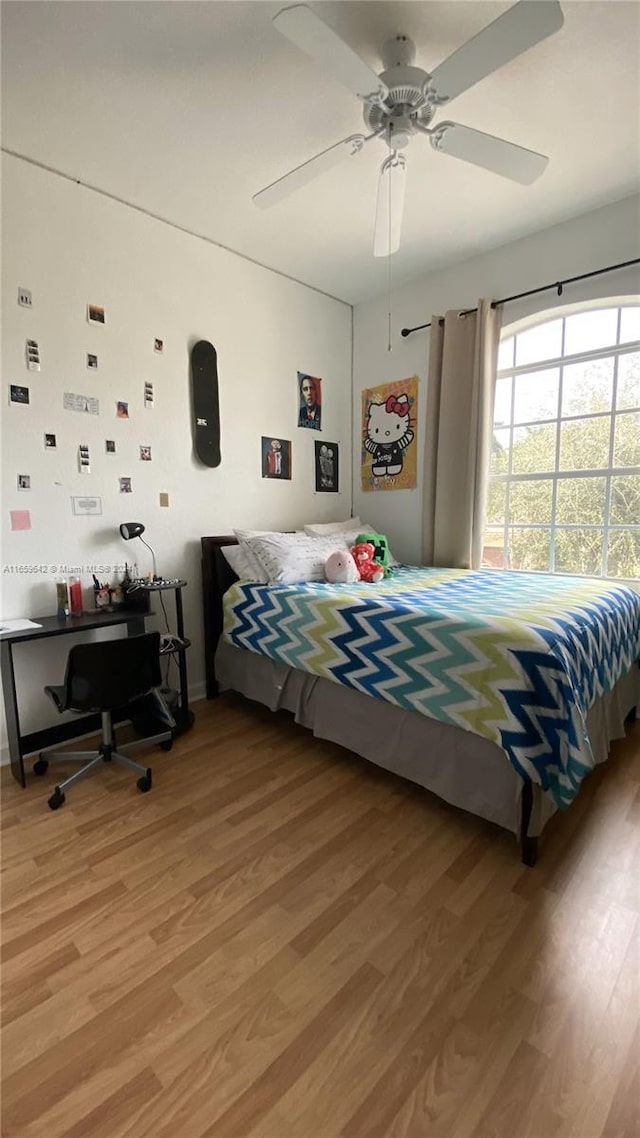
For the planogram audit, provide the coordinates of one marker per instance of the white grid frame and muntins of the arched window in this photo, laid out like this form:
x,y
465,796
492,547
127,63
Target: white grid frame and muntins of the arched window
x,y
559,475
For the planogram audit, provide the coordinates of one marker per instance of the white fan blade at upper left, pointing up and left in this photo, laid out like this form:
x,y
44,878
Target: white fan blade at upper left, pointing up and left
x,y
303,28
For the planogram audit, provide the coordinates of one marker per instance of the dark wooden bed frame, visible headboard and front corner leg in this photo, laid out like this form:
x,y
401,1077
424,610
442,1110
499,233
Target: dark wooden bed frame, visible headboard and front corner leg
x,y
218,578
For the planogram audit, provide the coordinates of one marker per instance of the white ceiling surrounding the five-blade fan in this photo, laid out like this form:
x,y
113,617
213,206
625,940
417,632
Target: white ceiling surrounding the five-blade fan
x,y
187,109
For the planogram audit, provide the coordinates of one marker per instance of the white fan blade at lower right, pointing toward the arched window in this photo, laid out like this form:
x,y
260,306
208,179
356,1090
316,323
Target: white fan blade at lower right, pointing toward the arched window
x,y
498,155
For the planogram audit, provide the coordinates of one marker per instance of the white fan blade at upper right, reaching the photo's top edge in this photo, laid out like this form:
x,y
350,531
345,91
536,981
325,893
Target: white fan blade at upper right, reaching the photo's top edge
x,y
518,30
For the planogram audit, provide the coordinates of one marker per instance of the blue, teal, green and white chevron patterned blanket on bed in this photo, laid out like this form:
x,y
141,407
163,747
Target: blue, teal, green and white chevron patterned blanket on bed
x,y
518,658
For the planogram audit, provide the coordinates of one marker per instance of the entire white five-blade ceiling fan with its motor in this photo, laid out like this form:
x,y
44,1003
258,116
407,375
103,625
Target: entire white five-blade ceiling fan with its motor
x,y
404,101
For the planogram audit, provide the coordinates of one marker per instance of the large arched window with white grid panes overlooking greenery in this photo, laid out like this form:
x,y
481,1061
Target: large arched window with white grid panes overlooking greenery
x,y
564,491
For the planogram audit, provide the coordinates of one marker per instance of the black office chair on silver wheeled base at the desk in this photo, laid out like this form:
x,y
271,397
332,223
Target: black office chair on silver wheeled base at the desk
x,y
108,677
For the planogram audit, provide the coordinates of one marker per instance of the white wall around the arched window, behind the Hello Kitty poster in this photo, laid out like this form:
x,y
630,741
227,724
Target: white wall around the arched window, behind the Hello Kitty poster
x,y
603,237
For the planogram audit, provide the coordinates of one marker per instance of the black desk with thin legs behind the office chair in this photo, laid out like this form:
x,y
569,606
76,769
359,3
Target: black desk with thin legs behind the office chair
x,y
51,626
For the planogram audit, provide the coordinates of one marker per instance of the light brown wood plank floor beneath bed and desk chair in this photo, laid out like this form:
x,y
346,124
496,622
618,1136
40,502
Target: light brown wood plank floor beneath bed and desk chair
x,y
283,942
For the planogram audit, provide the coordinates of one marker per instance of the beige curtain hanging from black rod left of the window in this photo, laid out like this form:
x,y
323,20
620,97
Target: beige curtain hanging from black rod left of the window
x,y
458,435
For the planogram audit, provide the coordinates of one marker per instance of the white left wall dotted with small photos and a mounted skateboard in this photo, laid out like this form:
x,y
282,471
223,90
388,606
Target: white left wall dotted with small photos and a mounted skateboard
x,y
71,246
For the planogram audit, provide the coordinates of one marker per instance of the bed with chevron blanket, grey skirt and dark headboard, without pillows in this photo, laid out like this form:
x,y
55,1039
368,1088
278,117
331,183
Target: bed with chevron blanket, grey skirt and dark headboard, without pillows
x,y
511,740
